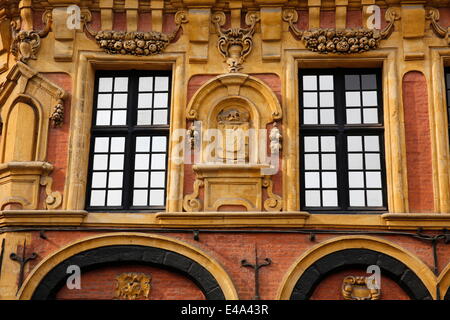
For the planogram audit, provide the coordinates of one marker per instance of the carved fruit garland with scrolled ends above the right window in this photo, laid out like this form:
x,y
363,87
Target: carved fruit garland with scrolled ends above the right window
x,y
344,41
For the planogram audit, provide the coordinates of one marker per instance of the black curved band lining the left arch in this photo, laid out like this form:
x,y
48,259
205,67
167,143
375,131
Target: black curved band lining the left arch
x,y
104,256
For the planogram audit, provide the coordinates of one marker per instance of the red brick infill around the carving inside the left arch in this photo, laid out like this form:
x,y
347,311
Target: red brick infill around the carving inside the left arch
x,y
101,284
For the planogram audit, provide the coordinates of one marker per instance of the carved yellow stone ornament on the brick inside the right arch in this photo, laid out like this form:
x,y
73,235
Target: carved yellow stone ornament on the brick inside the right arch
x,y
356,288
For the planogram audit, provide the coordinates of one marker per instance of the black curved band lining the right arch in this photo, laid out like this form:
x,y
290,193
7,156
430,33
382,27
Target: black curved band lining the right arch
x,y
357,258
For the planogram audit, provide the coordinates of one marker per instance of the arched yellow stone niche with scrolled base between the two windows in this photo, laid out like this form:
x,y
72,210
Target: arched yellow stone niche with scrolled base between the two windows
x,y
232,113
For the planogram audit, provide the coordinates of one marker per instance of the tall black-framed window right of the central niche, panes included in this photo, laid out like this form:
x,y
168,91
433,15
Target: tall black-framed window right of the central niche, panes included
x,y
342,162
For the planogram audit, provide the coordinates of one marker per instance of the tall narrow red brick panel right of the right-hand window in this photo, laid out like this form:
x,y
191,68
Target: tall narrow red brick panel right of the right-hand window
x,y
418,143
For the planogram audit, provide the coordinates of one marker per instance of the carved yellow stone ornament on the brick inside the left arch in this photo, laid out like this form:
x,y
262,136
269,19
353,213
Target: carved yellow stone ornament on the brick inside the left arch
x,y
133,286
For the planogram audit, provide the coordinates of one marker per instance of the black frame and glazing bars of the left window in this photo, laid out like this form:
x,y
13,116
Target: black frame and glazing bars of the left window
x,y
130,130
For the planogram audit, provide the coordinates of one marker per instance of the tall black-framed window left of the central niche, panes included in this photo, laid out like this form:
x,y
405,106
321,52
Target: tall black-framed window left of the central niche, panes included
x,y
129,143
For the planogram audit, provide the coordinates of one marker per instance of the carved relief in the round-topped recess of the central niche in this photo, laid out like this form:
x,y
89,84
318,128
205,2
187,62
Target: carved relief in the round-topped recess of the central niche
x,y
233,126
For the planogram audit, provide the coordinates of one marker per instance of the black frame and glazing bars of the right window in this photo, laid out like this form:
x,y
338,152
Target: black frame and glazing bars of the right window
x,y
341,130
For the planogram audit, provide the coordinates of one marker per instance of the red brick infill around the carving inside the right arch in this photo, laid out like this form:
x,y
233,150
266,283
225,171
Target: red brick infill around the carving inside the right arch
x,y
330,287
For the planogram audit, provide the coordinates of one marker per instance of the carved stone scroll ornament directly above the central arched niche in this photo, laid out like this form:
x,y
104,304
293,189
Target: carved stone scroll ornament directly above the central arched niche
x,y
235,44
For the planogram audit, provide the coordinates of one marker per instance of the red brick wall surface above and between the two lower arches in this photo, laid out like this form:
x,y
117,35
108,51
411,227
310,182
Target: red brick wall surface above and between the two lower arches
x,y
230,249
